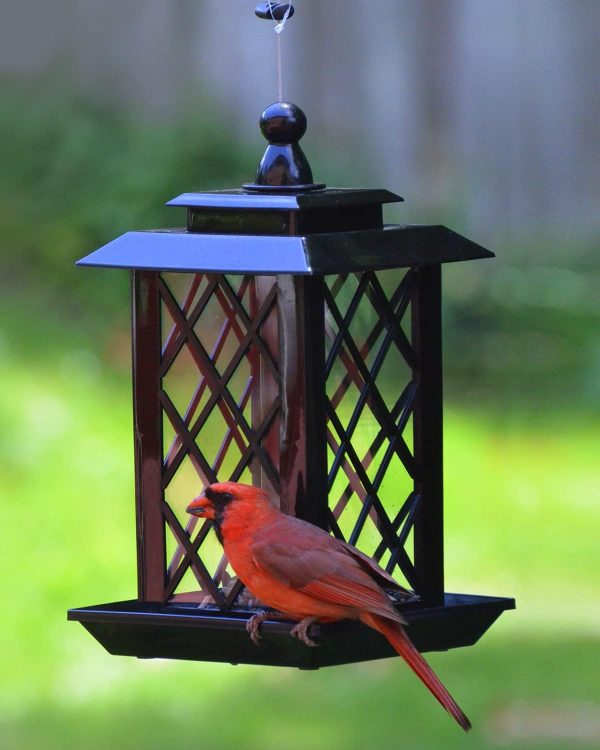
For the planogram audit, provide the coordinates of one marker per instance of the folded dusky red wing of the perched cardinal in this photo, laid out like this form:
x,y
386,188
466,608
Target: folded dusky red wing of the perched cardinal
x,y
322,567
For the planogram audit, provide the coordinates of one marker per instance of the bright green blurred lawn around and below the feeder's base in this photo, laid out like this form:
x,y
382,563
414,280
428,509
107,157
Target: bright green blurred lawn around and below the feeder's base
x,y
521,512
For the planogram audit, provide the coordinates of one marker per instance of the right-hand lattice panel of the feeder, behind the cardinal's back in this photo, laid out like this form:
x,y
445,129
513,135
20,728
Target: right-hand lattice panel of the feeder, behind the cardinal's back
x,y
370,398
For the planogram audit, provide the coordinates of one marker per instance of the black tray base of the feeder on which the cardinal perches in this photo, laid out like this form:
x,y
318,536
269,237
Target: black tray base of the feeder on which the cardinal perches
x,y
184,631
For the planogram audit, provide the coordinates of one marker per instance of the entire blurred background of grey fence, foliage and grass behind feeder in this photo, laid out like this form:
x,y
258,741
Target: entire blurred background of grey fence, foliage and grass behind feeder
x,y
484,115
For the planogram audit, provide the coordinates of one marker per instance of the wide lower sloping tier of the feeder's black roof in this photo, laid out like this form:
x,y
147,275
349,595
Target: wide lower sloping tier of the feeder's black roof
x,y
393,246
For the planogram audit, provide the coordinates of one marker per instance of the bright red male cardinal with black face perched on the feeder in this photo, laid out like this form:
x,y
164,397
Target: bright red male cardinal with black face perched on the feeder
x,y
307,575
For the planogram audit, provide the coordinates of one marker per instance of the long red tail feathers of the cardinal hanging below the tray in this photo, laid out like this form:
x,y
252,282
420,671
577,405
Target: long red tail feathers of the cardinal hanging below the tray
x,y
400,641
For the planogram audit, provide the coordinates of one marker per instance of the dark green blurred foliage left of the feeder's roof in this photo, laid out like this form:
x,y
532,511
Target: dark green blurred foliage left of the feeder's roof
x,y
75,176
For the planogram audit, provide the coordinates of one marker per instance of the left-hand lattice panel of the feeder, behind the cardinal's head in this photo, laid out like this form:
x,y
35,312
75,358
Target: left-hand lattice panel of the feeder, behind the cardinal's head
x,y
220,400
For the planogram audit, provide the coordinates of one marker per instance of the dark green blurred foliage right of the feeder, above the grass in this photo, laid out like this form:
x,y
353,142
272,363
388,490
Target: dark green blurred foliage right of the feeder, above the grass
x,y
524,334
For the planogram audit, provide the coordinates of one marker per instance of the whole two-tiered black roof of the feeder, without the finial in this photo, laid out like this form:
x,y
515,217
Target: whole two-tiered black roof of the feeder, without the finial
x,y
317,232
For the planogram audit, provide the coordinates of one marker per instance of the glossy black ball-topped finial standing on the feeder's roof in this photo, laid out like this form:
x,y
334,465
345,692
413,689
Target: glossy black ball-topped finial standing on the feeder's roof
x,y
284,167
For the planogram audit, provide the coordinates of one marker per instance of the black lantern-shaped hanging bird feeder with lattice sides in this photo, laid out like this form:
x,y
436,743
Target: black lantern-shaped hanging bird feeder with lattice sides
x,y
289,339
